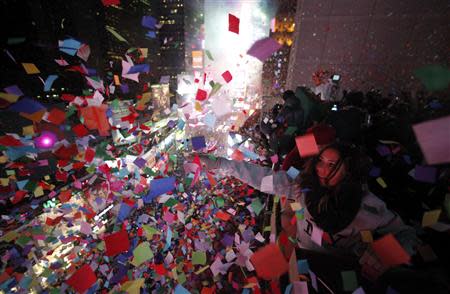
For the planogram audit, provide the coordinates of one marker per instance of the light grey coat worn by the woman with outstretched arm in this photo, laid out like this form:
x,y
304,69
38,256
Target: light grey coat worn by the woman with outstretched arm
x,y
372,216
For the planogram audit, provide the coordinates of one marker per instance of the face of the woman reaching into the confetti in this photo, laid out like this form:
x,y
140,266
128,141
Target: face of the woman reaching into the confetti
x,y
330,168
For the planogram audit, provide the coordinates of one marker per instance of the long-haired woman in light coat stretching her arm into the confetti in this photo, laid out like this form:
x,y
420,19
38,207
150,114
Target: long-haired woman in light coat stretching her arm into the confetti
x,y
335,200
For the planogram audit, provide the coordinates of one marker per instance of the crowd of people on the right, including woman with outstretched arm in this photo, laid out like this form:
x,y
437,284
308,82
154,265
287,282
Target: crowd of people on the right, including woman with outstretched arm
x,y
358,180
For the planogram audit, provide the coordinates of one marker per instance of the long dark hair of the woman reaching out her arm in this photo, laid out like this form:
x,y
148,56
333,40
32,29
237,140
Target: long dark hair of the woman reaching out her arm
x,y
334,208
